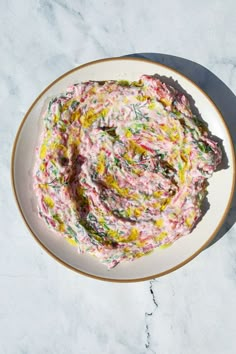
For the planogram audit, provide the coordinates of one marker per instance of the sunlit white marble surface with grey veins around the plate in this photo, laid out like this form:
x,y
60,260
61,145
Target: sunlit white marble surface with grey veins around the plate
x,y
46,308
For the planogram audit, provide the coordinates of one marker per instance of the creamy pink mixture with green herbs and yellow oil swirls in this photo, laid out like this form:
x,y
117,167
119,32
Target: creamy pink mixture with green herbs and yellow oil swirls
x,y
122,167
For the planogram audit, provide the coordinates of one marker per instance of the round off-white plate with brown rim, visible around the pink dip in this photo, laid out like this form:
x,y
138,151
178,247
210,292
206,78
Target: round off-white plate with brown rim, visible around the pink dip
x,y
160,262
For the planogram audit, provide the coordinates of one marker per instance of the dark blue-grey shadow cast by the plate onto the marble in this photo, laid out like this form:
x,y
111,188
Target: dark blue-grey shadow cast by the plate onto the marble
x,y
223,97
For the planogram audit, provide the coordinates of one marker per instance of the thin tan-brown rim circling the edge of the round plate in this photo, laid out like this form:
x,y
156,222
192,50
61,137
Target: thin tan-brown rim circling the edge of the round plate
x,y
129,280
